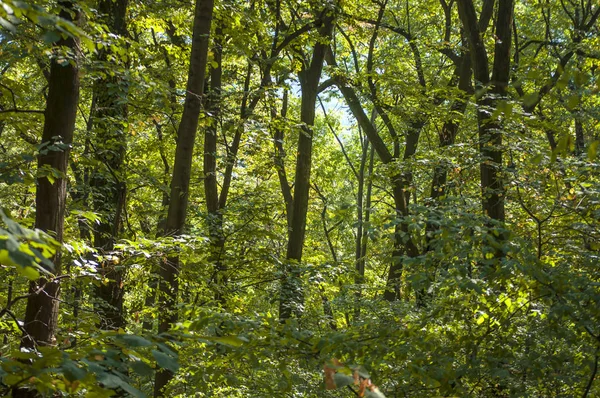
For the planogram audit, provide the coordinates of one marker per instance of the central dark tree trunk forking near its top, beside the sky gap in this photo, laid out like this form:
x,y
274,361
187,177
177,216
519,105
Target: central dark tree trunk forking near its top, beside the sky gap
x,y
291,299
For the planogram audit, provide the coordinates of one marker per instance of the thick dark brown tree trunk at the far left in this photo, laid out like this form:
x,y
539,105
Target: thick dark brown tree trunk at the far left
x,y
61,108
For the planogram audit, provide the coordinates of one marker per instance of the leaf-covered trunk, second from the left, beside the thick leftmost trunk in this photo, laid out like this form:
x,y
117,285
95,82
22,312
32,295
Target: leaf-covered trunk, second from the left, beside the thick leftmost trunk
x,y
108,120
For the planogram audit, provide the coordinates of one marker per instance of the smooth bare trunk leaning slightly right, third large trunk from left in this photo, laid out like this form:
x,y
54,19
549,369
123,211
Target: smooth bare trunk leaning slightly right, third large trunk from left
x,y
169,272
